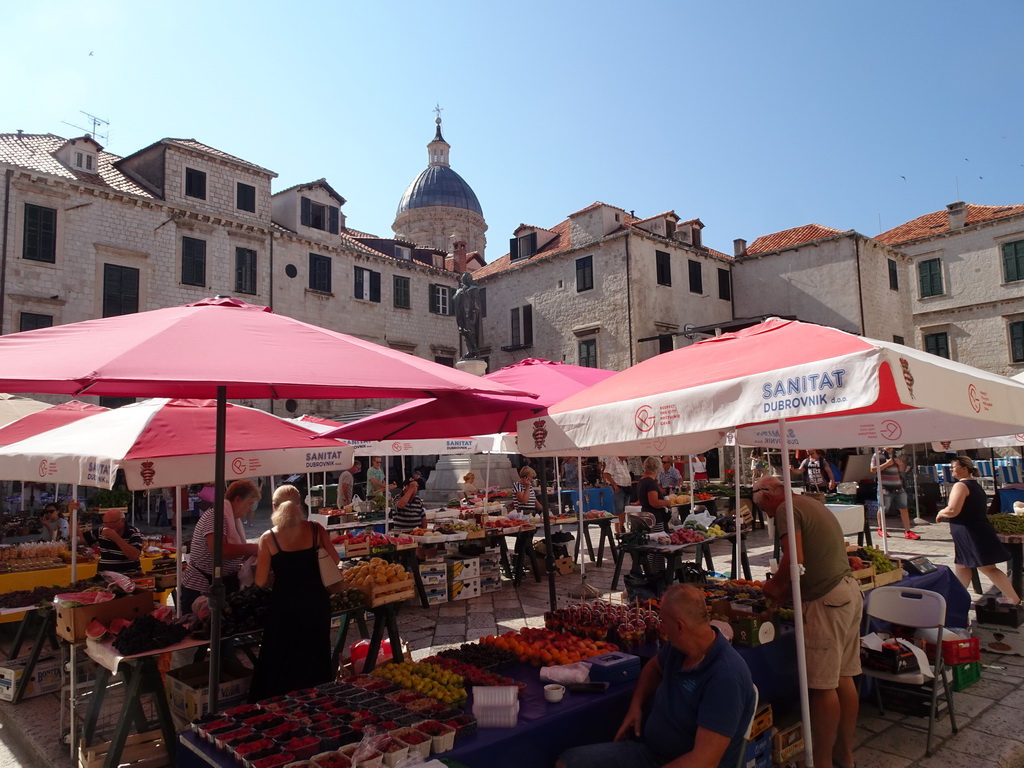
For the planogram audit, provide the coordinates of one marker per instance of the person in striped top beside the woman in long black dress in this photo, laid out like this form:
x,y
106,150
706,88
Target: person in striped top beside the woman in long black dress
x,y
196,580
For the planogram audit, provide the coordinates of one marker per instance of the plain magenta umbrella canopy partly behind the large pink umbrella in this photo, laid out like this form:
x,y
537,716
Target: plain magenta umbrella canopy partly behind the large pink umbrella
x,y
455,415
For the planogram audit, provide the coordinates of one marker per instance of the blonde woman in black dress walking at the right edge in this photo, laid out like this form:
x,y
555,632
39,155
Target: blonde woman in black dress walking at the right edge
x,y
975,542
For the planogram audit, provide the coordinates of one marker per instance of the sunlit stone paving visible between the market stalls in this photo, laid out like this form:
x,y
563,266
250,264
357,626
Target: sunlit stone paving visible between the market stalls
x,y
989,714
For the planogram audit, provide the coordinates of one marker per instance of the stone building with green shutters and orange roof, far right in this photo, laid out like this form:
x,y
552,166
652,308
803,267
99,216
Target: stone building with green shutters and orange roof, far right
x,y
968,296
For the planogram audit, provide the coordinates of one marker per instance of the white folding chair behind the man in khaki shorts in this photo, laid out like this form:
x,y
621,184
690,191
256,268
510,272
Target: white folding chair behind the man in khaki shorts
x,y
921,610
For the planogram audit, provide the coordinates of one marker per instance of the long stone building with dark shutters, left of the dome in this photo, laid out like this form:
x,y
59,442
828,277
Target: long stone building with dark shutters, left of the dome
x,y
88,234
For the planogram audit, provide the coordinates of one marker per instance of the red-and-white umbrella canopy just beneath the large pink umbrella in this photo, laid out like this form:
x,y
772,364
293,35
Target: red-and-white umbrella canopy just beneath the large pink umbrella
x,y
164,443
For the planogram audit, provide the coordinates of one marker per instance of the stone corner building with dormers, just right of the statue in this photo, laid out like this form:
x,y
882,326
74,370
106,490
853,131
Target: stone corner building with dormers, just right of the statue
x,y
604,289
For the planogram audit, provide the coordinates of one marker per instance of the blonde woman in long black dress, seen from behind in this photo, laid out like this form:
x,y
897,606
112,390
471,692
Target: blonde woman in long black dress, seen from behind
x,y
296,649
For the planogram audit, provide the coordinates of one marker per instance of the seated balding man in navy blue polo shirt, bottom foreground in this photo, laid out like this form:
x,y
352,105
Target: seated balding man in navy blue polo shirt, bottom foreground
x,y
700,693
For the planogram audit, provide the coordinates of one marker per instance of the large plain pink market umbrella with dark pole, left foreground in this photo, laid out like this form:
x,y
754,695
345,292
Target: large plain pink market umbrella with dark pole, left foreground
x,y
222,349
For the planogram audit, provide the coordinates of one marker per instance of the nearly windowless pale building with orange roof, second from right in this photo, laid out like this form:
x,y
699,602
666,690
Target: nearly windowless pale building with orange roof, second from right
x,y
826,276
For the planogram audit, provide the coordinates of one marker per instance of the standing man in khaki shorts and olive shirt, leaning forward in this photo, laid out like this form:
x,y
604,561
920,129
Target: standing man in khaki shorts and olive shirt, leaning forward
x,y
833,607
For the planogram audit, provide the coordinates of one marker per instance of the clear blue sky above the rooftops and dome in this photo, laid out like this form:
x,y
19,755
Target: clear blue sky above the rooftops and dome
x,y
753,116
